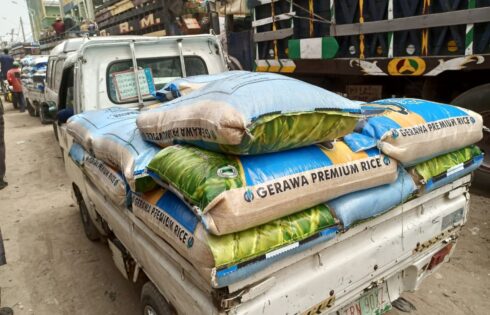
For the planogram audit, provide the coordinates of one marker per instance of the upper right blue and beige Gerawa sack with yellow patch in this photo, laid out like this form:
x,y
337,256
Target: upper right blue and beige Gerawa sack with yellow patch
x,y
412,131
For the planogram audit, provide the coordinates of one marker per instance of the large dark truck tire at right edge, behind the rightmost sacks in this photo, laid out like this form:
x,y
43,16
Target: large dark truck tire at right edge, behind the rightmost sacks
x,y
478,99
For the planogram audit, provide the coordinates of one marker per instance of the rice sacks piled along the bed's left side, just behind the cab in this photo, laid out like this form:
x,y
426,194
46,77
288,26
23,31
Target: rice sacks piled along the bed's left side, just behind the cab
x,y
112,152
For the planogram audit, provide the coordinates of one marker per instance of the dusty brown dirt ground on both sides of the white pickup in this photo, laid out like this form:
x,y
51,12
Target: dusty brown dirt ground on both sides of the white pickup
x,y
53,269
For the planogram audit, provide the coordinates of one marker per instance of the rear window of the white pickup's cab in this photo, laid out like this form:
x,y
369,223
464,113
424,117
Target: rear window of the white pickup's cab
x,y
163,70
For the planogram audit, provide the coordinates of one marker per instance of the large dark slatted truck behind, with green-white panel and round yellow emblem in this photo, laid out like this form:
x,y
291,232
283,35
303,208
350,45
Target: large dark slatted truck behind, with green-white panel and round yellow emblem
x,y
371,49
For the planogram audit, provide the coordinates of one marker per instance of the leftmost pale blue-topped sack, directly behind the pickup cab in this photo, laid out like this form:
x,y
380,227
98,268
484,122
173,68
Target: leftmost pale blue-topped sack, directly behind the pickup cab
x,y
85,126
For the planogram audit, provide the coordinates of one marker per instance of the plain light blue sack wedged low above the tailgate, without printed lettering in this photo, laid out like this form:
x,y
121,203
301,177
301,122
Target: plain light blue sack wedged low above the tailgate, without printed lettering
x,y
369,203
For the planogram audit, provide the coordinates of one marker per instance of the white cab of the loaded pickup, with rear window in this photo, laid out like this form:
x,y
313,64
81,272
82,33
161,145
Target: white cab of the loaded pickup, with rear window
x,y
81,79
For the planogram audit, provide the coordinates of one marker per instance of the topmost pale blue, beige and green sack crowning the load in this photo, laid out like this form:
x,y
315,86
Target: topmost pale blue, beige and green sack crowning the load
x,y
251,113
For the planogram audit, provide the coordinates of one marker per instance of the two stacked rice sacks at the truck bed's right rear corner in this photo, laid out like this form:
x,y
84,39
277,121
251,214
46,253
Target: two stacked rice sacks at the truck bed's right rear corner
x,y
433,141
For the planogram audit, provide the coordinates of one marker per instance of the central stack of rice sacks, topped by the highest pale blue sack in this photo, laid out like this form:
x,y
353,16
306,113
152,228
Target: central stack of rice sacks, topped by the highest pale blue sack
x,y
248,167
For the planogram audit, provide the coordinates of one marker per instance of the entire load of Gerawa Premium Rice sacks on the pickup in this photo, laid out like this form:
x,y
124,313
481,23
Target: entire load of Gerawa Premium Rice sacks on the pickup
x,y
240,169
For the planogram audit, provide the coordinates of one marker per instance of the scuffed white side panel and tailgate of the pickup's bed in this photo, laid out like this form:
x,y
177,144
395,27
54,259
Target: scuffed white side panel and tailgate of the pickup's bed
x,y
391,251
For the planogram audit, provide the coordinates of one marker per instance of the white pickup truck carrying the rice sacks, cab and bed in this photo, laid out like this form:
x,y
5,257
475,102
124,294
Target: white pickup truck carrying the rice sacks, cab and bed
x,y
359,271
